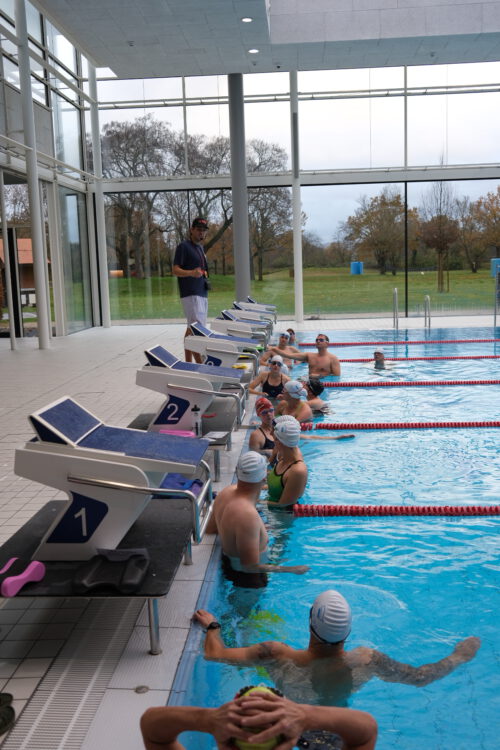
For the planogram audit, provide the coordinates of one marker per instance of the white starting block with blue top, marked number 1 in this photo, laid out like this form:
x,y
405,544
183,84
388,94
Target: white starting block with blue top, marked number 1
x,y
109,474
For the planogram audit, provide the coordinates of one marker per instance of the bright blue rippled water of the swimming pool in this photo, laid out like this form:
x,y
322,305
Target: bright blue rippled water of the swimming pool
x,y
416,586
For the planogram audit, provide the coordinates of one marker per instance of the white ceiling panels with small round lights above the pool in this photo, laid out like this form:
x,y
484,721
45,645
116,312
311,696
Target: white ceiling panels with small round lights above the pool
x,y
166,38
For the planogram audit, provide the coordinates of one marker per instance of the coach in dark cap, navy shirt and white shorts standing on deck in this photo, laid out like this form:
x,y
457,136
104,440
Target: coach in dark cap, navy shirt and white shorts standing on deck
x,y
191,268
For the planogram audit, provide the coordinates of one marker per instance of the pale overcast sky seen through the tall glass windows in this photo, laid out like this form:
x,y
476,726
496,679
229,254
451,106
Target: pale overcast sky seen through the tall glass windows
x,y
347,133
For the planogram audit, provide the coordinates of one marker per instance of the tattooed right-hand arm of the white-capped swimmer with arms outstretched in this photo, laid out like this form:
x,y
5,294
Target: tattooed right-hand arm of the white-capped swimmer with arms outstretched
x,y
390,670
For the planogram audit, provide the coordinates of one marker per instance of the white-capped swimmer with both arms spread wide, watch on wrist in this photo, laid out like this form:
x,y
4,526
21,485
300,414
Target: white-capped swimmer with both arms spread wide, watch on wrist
x,y
325,672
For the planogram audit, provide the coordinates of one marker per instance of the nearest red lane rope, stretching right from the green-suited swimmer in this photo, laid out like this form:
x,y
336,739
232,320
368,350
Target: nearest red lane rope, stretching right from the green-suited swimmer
x,y
396,510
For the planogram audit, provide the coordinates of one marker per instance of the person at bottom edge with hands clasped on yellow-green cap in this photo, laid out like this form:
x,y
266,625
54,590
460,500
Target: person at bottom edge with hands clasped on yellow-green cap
x,y
260,714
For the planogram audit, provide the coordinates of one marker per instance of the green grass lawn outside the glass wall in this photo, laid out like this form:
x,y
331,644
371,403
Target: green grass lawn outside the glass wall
x,y
326,291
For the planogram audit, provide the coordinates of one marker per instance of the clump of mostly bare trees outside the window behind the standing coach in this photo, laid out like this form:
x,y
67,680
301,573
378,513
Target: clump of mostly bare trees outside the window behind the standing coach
x,y
148,148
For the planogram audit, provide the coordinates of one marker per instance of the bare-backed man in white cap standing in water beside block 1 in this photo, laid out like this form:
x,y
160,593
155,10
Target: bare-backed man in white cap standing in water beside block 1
x,y
241,530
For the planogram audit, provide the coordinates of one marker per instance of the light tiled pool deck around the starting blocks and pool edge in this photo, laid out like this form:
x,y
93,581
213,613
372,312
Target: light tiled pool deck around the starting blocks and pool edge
x,y
79,670
